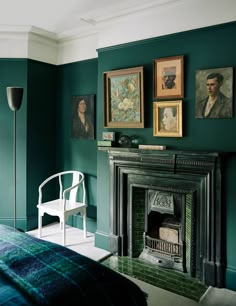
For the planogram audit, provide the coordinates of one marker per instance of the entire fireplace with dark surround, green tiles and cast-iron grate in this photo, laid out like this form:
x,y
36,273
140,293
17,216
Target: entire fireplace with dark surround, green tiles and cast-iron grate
x,y
166,207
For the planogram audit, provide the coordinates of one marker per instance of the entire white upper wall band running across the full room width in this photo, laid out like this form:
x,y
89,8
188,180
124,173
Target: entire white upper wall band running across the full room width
x,y
37,44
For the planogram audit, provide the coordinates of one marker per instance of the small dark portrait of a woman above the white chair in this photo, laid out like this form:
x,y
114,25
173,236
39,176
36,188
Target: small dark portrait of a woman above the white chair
x,y
83,116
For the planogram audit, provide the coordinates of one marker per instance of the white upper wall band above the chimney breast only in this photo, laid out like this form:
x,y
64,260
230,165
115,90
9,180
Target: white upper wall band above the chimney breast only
x,y
193,15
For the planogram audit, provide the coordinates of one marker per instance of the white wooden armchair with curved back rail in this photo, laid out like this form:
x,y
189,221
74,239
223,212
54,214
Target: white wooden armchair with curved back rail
x,y
66,205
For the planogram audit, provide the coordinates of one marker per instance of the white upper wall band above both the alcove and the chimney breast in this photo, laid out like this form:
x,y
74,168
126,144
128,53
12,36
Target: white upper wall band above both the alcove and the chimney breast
x,y
180,17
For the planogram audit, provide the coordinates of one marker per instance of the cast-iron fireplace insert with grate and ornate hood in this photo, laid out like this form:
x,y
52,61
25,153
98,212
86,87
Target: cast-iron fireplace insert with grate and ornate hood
x,y
164,229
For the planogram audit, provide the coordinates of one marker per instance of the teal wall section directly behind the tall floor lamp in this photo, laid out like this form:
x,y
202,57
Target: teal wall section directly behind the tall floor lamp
x,y
12,73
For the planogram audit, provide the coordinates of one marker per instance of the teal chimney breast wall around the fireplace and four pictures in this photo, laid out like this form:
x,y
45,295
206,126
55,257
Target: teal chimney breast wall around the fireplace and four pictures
x,y
206,48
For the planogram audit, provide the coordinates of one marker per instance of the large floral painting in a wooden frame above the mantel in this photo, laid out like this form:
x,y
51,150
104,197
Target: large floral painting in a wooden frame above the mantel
x,y
123,98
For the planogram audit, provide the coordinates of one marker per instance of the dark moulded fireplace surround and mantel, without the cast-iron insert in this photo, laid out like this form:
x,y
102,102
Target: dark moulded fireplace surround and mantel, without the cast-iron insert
x,y
198,173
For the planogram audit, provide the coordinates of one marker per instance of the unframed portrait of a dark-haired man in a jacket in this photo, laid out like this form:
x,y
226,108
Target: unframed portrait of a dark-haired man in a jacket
x,y
214,96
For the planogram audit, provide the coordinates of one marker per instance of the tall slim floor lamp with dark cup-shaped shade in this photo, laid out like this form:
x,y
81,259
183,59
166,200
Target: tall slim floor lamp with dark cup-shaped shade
x,y
14,97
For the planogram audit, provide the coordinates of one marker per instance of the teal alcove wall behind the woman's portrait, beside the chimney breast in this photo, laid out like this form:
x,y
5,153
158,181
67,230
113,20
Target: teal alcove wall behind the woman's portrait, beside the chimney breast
x,y
77,79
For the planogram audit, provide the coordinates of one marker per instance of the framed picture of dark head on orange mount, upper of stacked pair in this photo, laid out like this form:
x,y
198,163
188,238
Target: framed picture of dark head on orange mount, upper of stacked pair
x,y
169,77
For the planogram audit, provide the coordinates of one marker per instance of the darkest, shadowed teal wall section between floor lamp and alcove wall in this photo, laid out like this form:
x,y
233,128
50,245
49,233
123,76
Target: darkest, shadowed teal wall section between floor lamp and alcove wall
x,y
41,132
